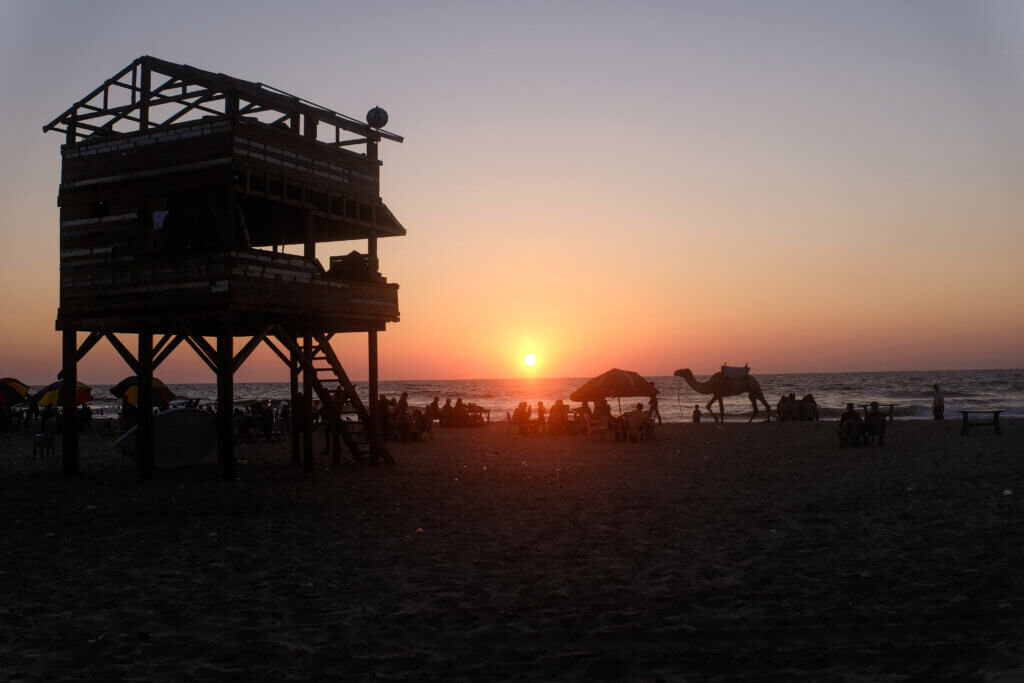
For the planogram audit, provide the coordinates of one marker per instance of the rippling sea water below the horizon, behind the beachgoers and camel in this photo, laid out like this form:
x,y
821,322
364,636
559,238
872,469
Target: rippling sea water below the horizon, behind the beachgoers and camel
x,y
912,392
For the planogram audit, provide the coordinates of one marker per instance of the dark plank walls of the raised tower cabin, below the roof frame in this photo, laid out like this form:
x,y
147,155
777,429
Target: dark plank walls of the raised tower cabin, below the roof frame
x,y
115,264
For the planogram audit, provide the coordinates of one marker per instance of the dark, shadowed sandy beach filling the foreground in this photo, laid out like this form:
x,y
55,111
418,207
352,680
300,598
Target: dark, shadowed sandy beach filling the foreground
x,y
742,552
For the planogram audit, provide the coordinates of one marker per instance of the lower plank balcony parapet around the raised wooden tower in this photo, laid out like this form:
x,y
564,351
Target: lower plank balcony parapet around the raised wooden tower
x,y
243,289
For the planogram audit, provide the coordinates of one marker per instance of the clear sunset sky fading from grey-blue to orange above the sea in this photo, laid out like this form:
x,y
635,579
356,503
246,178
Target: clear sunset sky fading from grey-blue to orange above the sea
x,y
805,187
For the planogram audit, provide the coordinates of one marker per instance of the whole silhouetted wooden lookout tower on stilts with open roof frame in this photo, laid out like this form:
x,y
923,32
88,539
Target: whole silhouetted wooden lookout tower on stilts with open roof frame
x,y
180,191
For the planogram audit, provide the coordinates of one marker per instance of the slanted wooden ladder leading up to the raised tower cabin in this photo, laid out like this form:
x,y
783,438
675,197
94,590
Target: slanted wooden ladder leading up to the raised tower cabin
x,y
338,396
